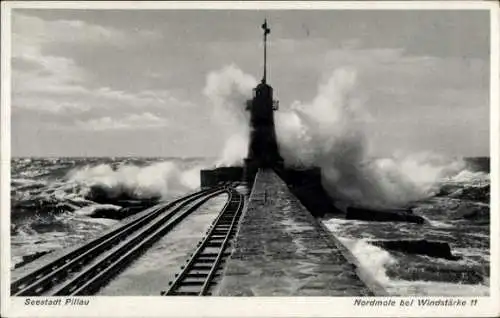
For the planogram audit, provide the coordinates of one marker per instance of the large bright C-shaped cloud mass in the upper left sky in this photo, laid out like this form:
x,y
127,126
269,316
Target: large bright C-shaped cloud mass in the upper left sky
x,y
56,84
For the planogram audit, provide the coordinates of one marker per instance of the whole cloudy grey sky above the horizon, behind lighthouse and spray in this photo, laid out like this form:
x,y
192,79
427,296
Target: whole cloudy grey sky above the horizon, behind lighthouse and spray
x,y
130,82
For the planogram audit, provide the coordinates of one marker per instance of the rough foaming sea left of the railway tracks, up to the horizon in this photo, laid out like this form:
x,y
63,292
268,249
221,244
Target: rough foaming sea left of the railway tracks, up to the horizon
x,y
60,202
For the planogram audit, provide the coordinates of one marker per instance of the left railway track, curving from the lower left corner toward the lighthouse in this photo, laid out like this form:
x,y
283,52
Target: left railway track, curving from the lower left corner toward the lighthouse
x,y
86,269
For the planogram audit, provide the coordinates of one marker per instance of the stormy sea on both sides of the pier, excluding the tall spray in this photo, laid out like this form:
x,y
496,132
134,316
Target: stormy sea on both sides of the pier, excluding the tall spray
x,y
59,202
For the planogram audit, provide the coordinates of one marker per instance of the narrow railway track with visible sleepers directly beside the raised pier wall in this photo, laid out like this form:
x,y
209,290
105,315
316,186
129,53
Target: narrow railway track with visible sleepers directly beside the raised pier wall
x,y
201,271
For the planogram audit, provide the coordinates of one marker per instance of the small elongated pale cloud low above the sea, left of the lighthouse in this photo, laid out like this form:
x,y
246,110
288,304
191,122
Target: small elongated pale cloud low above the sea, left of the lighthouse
x,y
132,121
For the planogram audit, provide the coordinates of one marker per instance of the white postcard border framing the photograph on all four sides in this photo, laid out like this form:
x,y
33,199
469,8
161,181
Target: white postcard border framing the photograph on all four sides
x,y
119,306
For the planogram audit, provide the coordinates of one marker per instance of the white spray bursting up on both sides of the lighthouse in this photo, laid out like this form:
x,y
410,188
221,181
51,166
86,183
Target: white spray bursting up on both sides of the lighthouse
x,y
328,132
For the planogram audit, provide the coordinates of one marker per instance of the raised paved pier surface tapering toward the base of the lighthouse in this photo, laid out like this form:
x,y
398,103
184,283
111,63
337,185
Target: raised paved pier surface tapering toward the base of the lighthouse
x,y
281,250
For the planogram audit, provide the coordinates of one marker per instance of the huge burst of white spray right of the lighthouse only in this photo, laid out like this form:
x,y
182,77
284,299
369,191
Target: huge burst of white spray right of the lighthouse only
x,y
329,132
